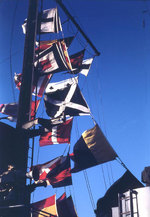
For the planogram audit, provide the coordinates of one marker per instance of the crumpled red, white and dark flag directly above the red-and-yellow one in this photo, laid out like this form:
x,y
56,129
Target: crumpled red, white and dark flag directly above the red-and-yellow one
x,y
56,171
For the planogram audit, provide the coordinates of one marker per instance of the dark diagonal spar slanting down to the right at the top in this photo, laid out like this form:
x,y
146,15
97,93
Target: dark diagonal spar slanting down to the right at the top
x,y
78,27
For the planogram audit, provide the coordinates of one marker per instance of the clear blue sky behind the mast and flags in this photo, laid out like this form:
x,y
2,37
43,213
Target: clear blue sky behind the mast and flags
x,y
117,88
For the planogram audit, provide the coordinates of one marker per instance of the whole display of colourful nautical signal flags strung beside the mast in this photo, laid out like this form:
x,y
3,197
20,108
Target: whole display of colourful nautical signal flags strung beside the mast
x,y
63,101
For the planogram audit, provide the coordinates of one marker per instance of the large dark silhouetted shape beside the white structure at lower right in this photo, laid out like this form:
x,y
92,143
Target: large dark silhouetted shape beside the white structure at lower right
x,y
110,199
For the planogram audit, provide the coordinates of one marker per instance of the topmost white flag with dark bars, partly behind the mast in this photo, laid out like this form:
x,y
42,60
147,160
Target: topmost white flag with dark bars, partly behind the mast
x,y
49,21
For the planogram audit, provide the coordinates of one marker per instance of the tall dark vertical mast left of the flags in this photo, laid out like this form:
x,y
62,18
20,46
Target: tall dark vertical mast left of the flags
x,y
25,99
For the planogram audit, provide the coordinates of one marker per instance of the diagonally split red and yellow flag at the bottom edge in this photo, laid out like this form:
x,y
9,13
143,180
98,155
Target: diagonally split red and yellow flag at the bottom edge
x,y
46,207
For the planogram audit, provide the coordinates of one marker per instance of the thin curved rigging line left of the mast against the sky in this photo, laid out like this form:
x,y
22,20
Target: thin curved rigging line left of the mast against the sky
x,y
11,39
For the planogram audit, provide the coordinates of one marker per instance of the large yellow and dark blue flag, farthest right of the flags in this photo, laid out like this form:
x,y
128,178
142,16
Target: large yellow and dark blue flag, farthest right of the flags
x,y
92,149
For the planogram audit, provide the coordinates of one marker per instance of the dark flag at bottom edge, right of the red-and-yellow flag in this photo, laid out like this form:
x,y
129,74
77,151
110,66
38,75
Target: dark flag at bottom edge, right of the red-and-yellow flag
x,y
65,208
